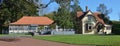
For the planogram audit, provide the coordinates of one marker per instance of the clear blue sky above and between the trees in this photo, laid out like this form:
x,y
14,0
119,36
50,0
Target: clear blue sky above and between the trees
x,y
92,5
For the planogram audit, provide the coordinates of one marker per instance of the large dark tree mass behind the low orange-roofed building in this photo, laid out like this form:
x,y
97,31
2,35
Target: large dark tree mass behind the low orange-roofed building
x,y
12,10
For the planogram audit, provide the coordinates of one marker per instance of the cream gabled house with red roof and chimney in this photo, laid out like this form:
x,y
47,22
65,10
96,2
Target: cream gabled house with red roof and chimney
x,y
89,23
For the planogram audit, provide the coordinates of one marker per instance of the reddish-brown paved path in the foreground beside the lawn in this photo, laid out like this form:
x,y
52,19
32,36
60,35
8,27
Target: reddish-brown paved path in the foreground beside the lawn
x,y
32,42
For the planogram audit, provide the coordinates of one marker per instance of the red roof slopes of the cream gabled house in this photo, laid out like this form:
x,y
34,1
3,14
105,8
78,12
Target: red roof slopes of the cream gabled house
x,y
95,14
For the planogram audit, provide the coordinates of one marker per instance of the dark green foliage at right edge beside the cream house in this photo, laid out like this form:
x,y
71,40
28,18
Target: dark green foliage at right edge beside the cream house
x,y
116,27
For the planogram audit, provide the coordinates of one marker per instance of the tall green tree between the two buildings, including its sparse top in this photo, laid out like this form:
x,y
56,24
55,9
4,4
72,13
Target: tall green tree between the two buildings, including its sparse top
x,y
62,16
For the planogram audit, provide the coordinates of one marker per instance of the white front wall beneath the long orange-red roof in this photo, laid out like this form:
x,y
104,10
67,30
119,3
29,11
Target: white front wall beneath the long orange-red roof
x,y
21,29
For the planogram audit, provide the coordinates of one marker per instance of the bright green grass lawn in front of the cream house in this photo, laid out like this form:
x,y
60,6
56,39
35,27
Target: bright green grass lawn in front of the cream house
x,y
84,39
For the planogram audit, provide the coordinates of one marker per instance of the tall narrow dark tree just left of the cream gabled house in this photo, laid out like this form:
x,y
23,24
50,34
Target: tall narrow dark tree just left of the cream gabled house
x,y
75,8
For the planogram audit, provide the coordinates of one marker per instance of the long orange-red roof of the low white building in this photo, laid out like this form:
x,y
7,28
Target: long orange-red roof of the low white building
x,y
37,20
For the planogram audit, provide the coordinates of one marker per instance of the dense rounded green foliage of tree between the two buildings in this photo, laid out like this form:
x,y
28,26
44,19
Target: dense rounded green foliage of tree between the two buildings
x,y
63,18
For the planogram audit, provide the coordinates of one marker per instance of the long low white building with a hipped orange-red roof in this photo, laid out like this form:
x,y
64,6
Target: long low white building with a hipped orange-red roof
x,y
29,24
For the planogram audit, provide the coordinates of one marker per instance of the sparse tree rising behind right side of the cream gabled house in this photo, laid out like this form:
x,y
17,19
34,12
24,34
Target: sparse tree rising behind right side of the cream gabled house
x,y
104,13
